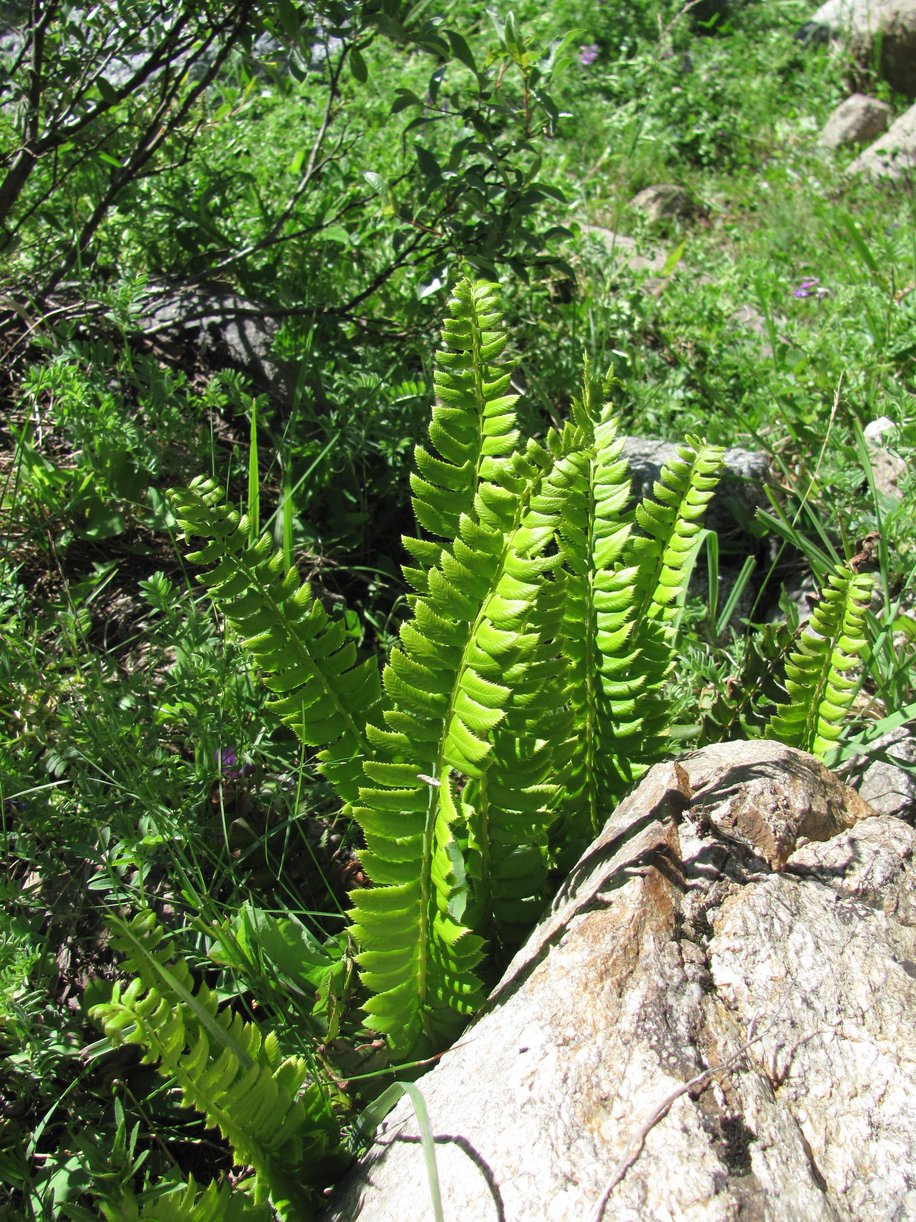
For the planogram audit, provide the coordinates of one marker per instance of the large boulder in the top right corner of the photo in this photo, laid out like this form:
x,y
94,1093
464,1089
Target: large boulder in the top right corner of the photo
x,y
874,29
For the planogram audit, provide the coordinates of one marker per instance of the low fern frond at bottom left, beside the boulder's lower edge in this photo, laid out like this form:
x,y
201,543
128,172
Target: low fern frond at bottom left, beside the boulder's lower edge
x,y
225,1070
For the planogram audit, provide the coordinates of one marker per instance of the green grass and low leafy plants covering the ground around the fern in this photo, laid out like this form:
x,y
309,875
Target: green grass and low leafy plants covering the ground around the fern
x,y
137,764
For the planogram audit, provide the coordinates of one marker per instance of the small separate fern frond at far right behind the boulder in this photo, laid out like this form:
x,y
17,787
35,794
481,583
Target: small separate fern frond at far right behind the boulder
x,y
821,673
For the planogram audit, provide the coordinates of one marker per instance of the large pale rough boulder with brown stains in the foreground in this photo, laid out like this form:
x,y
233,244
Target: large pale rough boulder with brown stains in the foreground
x,y
713,1022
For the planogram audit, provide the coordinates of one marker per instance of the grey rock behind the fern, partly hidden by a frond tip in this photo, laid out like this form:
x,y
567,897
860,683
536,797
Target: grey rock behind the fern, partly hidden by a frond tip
x,y
741,492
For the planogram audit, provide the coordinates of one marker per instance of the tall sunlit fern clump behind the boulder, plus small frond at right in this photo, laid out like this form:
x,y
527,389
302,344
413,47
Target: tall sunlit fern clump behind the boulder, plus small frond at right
x,y
528,687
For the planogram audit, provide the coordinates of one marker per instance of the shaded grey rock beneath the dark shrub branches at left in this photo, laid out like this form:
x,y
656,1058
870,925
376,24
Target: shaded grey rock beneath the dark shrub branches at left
x,y
225,327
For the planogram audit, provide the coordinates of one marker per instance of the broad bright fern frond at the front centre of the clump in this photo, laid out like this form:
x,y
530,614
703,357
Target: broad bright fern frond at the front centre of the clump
x,y
448,695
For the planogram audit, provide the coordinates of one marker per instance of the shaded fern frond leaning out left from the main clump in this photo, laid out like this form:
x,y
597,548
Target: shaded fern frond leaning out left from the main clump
x,y
322,691
